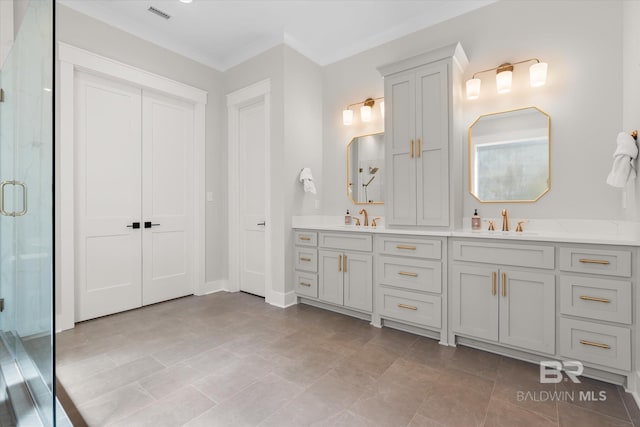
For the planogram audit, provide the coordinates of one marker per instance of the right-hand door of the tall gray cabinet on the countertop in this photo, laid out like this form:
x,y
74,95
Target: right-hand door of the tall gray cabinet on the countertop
x,y
432,130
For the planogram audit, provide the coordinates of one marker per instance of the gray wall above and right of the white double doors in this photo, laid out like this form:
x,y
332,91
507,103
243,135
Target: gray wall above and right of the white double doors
x,y
87,33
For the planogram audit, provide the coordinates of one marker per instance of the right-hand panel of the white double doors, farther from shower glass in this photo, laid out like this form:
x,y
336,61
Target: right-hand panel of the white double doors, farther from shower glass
x,y
167,191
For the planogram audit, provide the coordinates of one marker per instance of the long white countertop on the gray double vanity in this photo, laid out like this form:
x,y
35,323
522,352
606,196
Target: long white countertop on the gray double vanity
x,y
601,232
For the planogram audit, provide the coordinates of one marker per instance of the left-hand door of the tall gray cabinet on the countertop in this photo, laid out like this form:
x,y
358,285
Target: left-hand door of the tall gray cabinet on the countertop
x,y
399,151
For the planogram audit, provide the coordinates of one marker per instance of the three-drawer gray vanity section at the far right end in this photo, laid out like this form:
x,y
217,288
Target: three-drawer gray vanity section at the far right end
x,y
596,305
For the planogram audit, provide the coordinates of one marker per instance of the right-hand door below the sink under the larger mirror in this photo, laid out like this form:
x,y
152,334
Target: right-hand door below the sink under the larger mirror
x,y
527,310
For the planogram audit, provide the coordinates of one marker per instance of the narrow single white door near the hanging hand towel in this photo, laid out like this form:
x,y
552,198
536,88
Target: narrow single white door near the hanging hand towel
x,y
252,152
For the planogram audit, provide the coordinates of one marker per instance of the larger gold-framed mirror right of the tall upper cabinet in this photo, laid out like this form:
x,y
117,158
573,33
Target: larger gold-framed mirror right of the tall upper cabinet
x,y
509,156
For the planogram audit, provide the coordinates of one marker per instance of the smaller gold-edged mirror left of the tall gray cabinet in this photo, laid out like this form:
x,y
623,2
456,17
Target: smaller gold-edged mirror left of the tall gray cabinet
x,y
365,174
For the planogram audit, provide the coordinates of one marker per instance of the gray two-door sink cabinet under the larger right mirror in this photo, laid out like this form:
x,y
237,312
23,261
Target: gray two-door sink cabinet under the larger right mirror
x,y
504,293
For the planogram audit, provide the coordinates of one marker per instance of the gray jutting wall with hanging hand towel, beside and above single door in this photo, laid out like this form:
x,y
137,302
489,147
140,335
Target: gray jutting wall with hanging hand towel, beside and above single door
x,y
296,141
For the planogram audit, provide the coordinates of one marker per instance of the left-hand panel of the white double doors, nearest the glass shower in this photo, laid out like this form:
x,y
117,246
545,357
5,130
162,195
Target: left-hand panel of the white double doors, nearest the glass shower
x,y
108,158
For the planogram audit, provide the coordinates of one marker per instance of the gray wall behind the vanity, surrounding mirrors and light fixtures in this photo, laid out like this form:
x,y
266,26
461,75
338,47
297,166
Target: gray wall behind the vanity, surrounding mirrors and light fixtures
x,y
583,95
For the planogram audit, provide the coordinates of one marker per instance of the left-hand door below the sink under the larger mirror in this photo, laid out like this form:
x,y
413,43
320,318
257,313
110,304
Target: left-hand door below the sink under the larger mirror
x,y
475,307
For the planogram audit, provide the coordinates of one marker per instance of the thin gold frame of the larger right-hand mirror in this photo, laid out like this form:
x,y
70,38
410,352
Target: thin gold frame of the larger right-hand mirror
x,y
513,113
